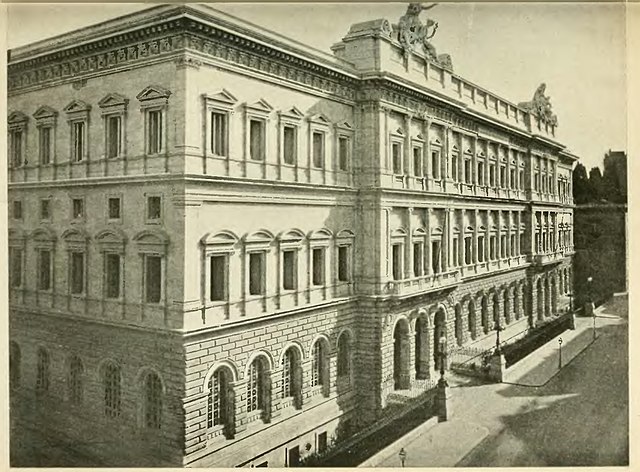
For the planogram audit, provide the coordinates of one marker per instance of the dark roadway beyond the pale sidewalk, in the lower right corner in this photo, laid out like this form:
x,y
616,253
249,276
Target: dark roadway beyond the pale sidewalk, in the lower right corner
x,y
580,418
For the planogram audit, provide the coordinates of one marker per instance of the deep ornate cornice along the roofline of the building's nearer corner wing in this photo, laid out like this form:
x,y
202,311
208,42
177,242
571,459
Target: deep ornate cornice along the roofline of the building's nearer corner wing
x,y
172,36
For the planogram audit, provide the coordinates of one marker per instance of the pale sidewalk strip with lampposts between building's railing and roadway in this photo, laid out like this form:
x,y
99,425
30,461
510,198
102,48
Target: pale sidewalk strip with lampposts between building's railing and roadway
x,y
478,410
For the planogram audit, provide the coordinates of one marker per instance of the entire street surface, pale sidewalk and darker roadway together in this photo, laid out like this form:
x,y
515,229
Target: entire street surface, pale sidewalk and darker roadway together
x,y
577,416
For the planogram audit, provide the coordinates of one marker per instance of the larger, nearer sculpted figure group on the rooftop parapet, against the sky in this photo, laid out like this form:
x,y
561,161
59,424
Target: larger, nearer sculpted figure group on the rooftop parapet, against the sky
x,y
412,32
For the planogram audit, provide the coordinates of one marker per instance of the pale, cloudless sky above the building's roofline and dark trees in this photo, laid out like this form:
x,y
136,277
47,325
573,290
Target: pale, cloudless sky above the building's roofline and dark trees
x,y
577,49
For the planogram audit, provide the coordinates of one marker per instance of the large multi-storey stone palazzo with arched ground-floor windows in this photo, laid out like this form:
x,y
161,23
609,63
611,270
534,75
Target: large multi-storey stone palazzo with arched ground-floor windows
x,y
230,249
